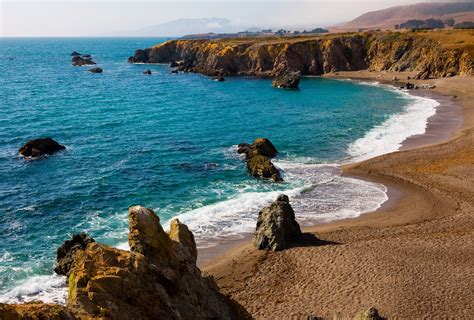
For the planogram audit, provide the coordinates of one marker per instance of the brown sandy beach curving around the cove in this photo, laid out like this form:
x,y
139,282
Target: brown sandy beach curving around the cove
x,y
414,258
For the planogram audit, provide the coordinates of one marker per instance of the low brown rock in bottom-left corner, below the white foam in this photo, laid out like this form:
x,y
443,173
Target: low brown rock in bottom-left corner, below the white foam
x,y
35,310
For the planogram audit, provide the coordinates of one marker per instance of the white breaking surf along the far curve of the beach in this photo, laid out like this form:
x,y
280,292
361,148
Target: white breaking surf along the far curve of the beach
x,y
389,136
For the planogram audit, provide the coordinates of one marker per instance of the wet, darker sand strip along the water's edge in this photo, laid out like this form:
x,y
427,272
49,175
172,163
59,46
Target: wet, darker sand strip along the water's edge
x,y
438,130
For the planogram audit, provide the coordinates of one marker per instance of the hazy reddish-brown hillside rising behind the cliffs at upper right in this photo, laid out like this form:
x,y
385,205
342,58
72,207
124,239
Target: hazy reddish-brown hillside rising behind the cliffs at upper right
x,y
388,18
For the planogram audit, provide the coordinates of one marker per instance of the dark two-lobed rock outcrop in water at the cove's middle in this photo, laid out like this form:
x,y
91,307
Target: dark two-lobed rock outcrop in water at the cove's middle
x,y
258,156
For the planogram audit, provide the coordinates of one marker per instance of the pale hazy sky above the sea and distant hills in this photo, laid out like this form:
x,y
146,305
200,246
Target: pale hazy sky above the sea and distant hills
x,y
96,18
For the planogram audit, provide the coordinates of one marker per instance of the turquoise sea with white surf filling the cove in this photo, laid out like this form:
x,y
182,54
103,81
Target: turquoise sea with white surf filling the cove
x,y
167,142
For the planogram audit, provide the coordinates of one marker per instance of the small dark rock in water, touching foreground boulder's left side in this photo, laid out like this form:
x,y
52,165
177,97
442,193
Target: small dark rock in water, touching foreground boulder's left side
x,y
66,252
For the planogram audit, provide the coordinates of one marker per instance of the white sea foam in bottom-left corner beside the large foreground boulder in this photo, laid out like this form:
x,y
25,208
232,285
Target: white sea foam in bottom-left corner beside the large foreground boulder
x,y
49,289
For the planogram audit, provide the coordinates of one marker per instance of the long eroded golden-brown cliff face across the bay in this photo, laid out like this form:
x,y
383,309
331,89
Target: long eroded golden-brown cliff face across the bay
x,y
312,56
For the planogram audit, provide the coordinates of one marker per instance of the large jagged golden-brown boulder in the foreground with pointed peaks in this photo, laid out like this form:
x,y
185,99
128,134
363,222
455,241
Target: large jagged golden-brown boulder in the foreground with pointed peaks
x,y
157,279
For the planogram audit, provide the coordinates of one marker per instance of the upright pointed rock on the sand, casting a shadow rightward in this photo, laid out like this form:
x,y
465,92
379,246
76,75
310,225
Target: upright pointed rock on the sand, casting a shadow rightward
x,y
276,226
